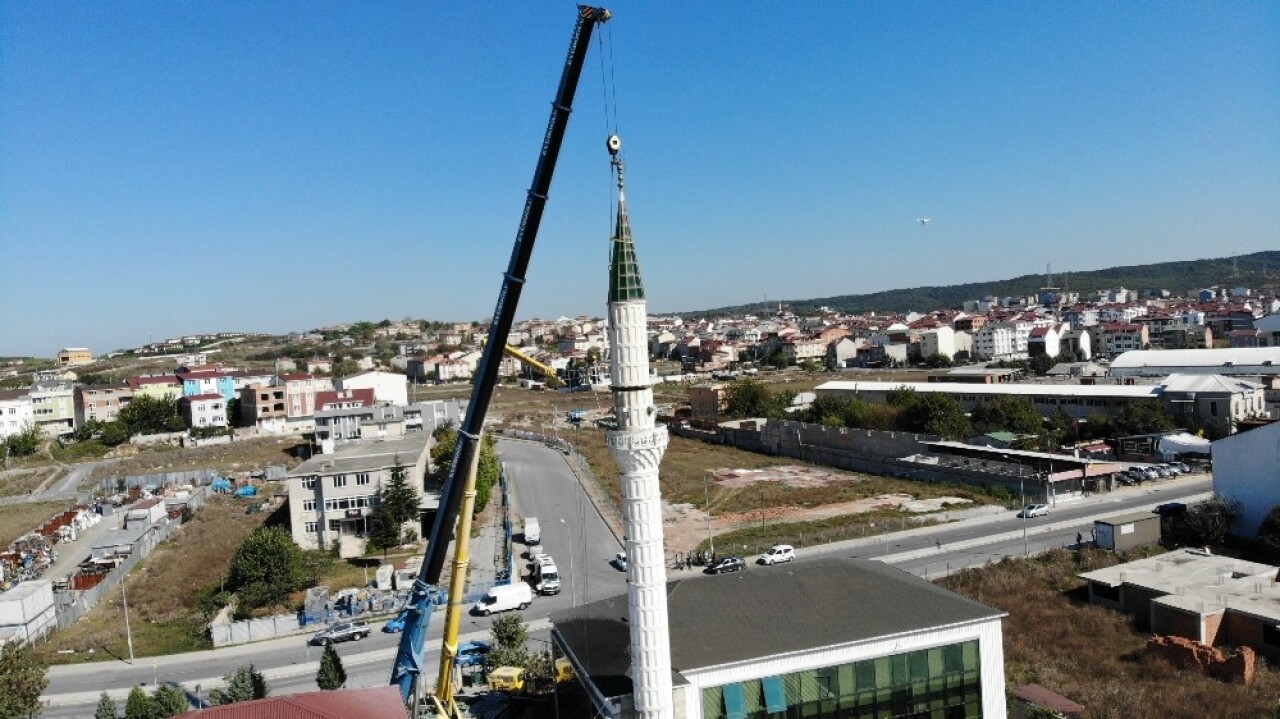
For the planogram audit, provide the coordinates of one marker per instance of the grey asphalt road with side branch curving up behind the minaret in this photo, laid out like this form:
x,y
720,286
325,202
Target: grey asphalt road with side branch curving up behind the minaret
x,y
582,544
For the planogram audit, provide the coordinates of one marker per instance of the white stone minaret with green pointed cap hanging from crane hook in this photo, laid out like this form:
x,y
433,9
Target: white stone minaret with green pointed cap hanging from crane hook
x,y
637,446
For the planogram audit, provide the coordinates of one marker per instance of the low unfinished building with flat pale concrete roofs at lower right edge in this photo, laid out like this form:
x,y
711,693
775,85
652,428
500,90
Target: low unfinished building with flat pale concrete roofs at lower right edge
x,y
1196,596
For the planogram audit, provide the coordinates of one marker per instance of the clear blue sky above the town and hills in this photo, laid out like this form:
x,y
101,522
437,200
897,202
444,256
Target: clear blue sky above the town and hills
x,y
271,167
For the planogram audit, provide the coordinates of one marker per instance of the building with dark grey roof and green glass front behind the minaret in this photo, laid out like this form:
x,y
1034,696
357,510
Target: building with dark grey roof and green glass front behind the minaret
x,y
833,638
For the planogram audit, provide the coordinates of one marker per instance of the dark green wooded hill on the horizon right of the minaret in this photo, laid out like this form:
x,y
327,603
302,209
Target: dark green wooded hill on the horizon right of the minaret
x,y
1258,271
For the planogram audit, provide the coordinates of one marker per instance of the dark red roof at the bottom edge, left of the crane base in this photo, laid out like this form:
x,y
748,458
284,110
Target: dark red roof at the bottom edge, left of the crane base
x,y
377,703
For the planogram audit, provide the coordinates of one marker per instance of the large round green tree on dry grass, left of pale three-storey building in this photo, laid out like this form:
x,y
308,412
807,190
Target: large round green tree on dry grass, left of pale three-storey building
x,y
267,567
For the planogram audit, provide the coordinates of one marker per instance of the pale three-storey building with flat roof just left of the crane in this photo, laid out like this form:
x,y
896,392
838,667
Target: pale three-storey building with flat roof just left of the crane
x,y
332,497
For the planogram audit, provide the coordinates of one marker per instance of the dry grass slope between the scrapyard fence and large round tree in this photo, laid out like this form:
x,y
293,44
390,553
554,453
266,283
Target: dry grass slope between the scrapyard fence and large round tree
x,y
163,590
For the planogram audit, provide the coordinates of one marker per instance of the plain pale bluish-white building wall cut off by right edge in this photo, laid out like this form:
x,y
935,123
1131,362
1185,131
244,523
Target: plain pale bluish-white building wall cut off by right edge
x,y
1246,470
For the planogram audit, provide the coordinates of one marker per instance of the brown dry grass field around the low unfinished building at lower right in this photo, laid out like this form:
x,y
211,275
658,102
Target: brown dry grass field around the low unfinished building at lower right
x,y
1092,654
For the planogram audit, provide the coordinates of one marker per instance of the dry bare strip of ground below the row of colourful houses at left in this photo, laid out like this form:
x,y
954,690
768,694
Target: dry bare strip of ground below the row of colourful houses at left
x,y
239,456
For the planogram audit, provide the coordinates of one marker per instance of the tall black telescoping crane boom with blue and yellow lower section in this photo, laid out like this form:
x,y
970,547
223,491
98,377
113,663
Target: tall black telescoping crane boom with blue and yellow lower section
x,y
458,498
